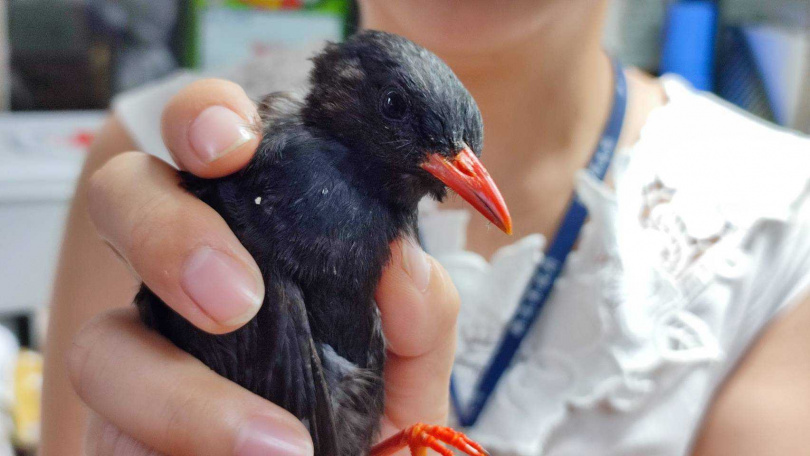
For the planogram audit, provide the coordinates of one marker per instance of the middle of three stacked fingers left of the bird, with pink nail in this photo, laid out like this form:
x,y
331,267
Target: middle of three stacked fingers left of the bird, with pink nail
x,y
180,247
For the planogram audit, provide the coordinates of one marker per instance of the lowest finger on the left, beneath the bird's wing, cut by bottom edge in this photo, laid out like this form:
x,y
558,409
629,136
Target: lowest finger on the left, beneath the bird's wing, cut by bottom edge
x,y
169,401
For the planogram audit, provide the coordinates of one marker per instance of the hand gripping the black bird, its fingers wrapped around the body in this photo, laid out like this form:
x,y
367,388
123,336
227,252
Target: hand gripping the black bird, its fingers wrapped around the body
x,y
147,396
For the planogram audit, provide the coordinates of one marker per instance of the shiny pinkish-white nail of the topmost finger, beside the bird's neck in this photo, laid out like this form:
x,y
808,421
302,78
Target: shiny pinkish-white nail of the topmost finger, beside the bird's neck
x,y
218,131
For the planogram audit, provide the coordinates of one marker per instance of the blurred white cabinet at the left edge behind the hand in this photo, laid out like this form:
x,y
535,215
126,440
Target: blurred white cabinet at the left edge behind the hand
x,y
41,155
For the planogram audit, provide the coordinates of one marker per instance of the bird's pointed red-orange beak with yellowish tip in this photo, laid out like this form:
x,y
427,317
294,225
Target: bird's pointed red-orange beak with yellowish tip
x,y
467,176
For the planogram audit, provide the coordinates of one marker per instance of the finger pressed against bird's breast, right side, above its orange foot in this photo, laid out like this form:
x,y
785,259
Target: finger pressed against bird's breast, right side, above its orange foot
x,y
419,306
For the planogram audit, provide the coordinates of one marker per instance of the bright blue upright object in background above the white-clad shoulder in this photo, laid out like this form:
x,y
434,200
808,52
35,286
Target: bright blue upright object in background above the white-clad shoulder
x,y
689,36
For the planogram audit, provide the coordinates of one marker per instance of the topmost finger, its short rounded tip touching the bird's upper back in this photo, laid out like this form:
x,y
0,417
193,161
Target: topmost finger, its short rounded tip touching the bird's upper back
x,y
211,128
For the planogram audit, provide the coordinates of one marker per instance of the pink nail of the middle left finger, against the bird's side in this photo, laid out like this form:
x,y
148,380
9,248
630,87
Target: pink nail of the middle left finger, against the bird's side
x,y
224,288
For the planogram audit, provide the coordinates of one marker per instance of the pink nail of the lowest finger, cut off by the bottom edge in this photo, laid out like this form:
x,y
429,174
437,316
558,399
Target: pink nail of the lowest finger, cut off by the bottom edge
x,y
263,436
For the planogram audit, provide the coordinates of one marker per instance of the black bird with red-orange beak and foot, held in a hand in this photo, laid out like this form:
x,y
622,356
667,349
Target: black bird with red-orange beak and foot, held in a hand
x,y
336,179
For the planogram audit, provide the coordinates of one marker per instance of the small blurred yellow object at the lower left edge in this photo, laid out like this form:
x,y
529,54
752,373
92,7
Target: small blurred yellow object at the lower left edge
x,y
28,397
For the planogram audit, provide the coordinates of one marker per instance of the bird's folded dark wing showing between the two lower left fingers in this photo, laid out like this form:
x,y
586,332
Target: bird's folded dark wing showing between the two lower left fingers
x,y
273,355
